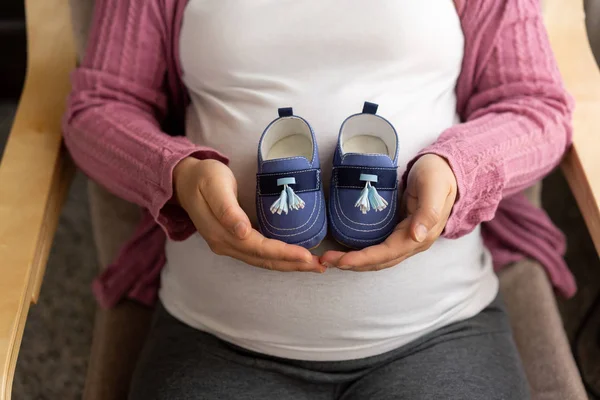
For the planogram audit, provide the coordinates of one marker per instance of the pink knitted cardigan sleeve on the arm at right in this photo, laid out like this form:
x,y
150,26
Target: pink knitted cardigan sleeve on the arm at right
x,y
516,119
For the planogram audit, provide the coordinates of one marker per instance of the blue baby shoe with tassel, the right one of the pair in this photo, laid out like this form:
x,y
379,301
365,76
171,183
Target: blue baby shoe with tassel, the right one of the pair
x,y
363,203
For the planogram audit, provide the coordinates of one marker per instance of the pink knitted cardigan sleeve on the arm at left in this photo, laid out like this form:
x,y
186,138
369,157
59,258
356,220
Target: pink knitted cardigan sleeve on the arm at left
x,y
118,102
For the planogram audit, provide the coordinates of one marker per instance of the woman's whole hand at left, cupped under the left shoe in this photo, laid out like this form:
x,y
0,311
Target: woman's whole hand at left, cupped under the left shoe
x,y
207,190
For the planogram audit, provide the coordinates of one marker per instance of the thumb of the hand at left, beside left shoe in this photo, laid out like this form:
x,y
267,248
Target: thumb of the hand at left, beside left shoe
x,y
220,194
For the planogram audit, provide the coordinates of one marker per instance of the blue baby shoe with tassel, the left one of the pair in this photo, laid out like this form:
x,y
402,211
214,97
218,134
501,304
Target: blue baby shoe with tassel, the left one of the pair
x,y
289,196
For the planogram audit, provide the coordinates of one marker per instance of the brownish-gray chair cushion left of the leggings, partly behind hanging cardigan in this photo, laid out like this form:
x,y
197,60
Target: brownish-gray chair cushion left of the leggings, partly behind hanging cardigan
x,y
118,332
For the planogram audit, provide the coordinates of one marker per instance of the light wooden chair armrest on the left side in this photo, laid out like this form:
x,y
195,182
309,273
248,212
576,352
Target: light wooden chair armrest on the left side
x,y
35,174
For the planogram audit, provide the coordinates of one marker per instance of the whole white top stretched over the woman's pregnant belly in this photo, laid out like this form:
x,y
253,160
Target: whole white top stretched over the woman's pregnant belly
x,y
241,61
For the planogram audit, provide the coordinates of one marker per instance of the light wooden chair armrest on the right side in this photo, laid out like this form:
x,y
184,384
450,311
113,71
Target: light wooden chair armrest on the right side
x,y
565,20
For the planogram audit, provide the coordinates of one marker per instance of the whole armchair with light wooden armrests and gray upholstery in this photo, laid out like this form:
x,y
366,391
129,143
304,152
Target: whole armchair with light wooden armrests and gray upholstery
x,y
34,150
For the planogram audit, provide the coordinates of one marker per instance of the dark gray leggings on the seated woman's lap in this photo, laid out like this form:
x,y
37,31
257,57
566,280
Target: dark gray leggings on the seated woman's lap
x,y
472,359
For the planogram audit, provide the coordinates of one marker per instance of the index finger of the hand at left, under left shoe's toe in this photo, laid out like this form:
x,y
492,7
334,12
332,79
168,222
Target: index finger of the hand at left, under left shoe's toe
x,y
258,246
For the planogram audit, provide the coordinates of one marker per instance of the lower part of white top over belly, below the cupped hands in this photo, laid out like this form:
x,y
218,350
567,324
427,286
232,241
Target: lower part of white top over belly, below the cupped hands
x,y
330,315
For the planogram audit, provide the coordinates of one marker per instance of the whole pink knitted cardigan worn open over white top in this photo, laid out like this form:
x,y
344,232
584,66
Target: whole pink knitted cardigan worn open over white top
x,y
516,125
